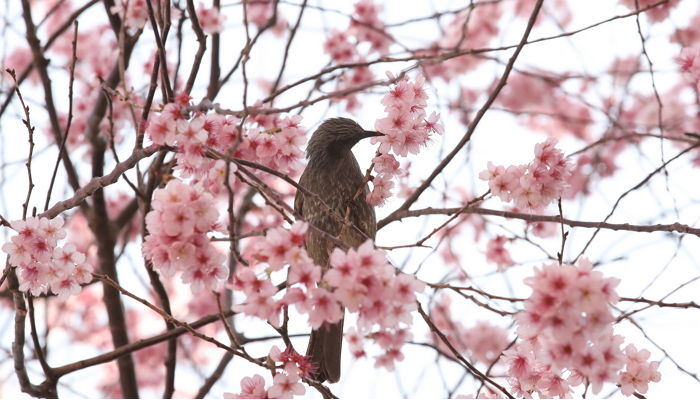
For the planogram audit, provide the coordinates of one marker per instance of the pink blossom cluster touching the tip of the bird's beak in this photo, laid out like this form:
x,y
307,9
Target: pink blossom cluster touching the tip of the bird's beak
x,y
405,127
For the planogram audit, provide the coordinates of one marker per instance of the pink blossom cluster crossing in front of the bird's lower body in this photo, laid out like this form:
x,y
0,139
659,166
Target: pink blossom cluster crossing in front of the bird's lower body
x,y
360,280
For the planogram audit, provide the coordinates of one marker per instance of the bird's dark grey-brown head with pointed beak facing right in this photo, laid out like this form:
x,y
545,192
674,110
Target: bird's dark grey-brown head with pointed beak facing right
x,y
334,138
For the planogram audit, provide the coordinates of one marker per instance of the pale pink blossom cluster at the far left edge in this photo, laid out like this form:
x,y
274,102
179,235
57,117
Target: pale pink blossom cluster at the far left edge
x,y
43,265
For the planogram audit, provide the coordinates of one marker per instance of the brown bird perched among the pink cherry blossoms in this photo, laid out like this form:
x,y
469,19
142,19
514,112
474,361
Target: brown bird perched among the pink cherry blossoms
x,y
333,179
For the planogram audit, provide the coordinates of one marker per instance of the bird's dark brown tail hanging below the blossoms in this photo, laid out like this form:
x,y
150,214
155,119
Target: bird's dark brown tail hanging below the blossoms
x,y
325,348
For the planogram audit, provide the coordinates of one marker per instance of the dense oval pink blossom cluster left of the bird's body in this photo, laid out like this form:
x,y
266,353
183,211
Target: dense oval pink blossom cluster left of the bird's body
x,y
178,224
